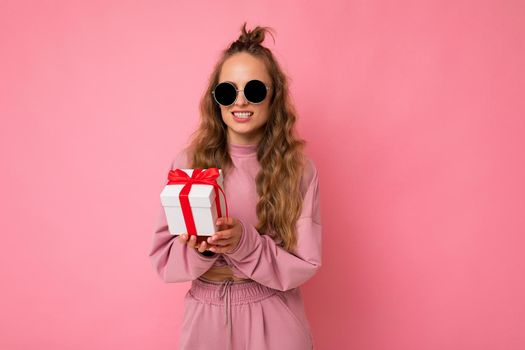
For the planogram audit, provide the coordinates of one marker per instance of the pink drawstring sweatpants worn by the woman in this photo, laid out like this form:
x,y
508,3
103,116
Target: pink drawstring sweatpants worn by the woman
x,y
243,315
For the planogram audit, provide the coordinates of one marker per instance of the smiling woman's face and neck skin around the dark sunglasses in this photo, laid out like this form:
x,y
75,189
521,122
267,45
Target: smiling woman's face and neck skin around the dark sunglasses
x,y
240,69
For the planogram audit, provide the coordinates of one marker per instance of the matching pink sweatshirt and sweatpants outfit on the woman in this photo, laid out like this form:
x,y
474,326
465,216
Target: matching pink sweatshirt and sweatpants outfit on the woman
x,y
266,312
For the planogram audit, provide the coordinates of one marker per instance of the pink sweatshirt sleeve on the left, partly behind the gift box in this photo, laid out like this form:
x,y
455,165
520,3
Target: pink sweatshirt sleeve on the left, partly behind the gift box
x,y
173,261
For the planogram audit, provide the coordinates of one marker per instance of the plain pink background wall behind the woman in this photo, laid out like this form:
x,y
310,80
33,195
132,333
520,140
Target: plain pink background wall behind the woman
x,y
413,111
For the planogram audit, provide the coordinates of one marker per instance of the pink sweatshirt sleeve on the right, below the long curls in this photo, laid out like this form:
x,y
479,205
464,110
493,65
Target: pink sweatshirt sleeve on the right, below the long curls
x,y
261,259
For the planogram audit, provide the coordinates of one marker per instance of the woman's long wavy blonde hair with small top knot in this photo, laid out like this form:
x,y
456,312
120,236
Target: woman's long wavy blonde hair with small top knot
x,y
280,151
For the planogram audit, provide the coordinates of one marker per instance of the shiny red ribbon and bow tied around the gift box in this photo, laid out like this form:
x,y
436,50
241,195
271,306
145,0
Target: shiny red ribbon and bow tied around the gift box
x,y
207,177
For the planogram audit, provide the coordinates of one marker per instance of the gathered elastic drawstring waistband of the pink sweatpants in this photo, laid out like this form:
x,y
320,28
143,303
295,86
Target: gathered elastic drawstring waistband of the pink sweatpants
x,y
242,292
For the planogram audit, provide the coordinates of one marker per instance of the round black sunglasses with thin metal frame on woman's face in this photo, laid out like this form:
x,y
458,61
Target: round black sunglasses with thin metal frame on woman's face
x,y
226,93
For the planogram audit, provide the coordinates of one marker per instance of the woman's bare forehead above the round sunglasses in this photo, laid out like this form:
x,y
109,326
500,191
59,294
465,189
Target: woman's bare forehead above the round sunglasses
x,y
243,67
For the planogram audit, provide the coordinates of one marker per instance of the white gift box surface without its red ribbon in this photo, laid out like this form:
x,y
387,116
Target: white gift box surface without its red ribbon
x,y
202,202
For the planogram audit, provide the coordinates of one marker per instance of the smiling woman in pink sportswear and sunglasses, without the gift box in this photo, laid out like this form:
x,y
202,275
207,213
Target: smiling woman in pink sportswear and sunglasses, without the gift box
x,y
245,278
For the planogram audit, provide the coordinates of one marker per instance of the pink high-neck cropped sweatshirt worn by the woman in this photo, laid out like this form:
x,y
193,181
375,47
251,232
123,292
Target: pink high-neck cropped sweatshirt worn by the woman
x,y
257,256
